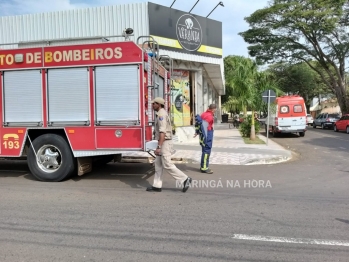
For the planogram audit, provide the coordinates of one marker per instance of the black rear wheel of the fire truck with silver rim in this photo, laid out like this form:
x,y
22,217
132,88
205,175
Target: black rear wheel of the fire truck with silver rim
x,y
53,160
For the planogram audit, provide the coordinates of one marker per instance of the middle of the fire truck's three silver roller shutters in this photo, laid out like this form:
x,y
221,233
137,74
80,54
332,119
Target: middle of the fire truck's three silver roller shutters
x,y
68,96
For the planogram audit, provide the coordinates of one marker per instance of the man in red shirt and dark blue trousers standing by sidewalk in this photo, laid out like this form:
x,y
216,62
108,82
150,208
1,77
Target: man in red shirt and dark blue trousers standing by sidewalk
x,y
207,116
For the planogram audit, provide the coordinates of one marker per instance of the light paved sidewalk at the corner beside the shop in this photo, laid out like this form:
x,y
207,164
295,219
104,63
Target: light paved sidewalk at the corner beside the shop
x,y
228,149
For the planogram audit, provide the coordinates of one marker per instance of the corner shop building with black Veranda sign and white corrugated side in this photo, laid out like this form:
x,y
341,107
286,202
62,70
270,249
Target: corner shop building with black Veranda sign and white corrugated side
x,y
194,44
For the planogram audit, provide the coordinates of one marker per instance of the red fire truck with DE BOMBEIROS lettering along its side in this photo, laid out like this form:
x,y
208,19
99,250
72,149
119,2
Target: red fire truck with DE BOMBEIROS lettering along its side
x,y
64,107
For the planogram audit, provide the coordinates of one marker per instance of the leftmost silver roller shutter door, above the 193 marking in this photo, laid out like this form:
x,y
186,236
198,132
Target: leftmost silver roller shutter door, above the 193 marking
x,y
22,92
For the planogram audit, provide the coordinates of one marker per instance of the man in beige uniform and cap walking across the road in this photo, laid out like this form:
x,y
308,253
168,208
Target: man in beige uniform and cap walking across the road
x,y
163,133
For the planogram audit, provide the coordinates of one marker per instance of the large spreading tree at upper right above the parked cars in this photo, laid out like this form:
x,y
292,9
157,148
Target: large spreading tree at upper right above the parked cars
x,y
304,31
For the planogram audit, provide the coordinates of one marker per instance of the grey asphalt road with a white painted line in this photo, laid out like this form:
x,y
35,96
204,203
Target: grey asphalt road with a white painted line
x,y
295,211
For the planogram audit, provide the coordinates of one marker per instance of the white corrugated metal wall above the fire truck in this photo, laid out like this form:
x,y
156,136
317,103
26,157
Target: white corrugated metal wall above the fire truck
x,y
84,22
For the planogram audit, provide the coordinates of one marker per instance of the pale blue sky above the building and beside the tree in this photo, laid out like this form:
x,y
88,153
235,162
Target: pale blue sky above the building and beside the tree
x,y
231,15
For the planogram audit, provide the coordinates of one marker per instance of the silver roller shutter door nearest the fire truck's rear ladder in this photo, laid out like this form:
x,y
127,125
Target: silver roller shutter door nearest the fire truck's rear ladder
x,y
117,94
